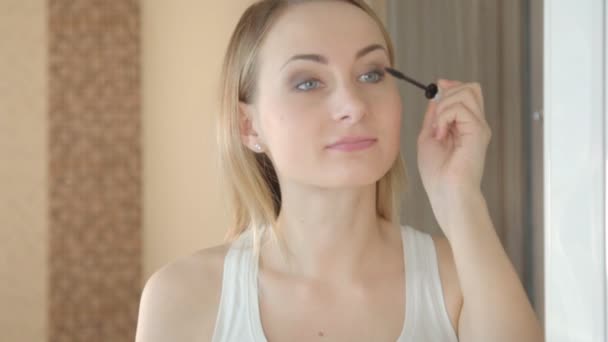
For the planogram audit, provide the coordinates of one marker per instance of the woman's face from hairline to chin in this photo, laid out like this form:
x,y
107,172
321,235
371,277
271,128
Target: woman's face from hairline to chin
x,y
321,78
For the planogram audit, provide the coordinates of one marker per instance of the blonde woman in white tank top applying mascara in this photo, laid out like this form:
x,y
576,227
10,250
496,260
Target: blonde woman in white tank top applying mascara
x,y
309,139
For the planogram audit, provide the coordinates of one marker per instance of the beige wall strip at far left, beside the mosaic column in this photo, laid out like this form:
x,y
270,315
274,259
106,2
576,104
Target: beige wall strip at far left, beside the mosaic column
x,y
23,165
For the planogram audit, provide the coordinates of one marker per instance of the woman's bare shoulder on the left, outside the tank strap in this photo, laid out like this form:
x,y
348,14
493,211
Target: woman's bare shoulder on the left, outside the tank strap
x,y
180,301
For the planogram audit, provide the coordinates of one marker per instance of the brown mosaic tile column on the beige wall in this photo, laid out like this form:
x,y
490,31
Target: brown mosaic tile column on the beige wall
x,y
94,169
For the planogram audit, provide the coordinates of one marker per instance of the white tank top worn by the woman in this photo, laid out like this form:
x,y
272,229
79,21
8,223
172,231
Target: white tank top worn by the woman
x,y
426,320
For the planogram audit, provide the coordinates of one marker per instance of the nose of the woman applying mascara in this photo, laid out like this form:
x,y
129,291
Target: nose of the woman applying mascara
x,y
349,104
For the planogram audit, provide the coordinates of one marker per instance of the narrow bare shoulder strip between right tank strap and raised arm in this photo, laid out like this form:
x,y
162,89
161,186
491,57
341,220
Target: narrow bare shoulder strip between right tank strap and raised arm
x,y
452,294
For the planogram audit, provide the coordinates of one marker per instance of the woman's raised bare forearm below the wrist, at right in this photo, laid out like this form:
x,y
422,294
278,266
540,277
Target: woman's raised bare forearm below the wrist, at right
x,y
495,306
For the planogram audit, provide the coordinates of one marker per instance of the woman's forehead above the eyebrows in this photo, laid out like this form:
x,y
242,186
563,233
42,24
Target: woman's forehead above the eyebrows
x,y
331,28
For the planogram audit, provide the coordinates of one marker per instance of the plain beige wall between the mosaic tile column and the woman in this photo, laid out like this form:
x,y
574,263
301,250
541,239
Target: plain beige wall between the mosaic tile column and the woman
x,y
183,46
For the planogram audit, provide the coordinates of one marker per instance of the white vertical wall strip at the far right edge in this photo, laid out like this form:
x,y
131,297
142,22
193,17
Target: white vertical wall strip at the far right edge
x,y
575,170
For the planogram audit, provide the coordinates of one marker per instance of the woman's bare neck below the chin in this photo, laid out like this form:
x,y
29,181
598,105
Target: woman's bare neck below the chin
x,y
327,233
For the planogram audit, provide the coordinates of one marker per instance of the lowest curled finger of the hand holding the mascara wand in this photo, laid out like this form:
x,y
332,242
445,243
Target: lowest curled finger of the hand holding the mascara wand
x,y
461,115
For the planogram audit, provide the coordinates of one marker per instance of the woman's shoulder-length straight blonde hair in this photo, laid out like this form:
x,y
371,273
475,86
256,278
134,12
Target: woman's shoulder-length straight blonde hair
x,y
251,179
